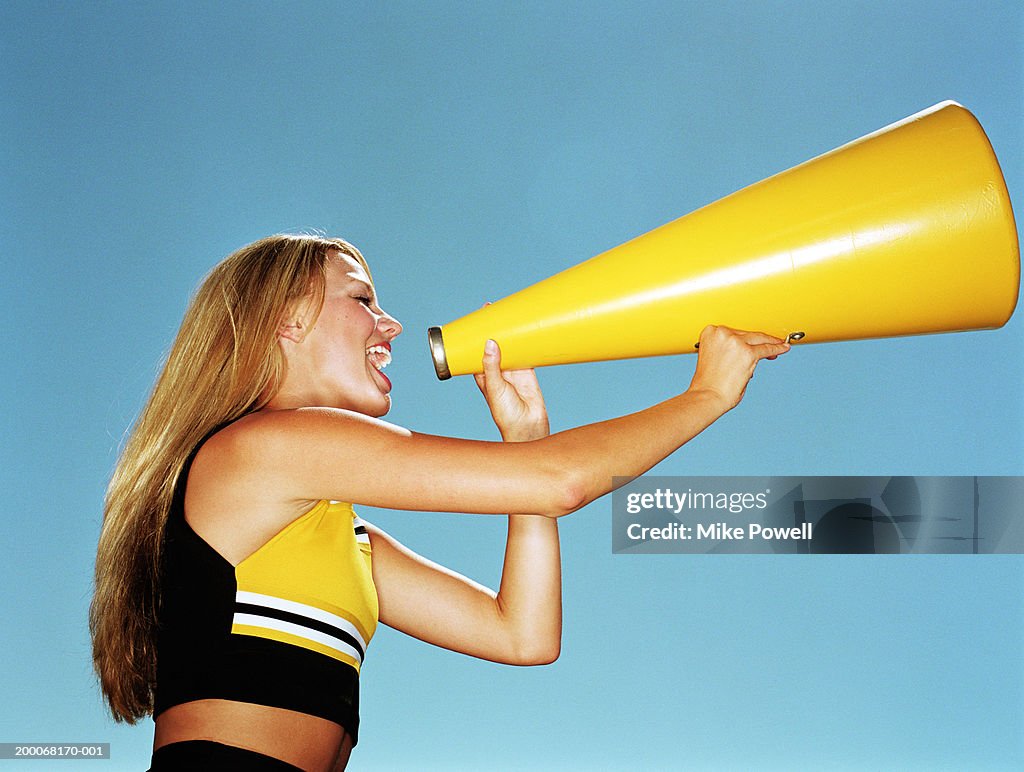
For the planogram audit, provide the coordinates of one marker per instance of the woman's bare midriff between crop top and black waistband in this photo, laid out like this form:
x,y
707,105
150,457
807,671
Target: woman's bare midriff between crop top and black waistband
x,y
310,743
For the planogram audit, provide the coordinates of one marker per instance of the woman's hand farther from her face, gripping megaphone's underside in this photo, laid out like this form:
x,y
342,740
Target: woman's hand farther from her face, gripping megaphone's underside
x,y
727,360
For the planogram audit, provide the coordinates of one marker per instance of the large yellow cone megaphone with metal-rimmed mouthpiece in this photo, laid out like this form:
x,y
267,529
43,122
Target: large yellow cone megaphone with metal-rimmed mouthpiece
x,y
904,232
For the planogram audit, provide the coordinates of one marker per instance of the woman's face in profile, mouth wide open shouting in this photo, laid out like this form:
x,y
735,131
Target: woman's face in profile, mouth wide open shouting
x,y
337,363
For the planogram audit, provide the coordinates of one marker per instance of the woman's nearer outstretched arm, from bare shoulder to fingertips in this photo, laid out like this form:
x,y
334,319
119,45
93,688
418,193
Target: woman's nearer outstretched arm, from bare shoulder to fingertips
x,y
313,454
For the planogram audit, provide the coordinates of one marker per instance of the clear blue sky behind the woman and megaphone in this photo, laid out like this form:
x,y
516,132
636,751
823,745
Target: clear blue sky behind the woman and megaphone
x,y
472,149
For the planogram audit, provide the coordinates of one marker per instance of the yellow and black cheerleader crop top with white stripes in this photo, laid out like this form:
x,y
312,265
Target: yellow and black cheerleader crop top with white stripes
x,y
288,627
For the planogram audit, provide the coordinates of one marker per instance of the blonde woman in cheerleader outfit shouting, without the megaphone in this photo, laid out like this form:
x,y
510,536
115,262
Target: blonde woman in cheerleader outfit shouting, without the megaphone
x,y
237,589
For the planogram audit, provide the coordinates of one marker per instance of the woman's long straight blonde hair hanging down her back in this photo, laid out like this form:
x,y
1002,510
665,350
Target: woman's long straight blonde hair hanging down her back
x,y
225,364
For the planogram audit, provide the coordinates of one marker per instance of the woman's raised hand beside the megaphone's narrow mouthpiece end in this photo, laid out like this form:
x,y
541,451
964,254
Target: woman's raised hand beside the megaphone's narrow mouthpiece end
x,y
515,399
